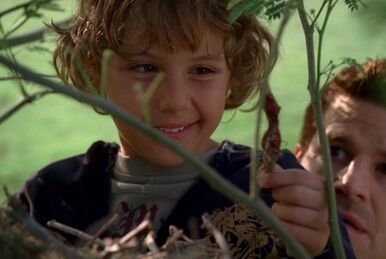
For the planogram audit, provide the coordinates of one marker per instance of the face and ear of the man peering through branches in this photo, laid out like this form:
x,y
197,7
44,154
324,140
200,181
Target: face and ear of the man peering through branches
x,y
357,136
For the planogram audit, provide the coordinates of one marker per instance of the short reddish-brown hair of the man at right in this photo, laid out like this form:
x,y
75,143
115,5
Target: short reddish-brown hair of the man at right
x,y
366,83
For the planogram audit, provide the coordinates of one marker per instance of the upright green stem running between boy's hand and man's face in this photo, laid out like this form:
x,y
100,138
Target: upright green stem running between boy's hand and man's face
x,y
316,104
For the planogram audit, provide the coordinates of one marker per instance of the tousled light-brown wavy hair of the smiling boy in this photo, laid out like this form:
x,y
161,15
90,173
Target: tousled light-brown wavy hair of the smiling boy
x,y
115,24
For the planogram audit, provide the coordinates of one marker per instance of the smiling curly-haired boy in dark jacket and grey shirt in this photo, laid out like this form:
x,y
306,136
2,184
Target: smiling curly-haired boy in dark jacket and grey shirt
x,y
209,65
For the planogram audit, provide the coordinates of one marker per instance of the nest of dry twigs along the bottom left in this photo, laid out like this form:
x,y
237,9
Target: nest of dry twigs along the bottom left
x,y
22,237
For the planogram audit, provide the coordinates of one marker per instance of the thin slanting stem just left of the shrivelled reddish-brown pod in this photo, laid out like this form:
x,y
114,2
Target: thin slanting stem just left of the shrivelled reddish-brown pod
x,y
253,186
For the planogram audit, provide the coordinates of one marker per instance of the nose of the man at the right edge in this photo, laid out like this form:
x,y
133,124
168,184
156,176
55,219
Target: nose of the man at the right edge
x,y
354,181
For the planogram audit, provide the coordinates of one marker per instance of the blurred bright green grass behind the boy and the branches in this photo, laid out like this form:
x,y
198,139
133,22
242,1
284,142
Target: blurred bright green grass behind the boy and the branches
x,y
56,127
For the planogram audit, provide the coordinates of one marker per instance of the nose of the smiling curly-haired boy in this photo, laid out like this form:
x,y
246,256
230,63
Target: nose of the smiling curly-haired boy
x,y
173,95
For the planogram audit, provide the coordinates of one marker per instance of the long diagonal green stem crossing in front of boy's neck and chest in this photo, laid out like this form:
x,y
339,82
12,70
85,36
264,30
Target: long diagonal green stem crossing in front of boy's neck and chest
x,y
212,177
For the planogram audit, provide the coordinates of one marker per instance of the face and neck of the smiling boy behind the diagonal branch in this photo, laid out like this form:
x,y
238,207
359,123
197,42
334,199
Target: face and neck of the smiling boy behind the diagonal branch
x,y
187,105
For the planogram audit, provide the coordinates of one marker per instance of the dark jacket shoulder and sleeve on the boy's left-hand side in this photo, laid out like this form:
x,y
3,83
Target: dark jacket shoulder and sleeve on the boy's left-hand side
x,y
78,184
